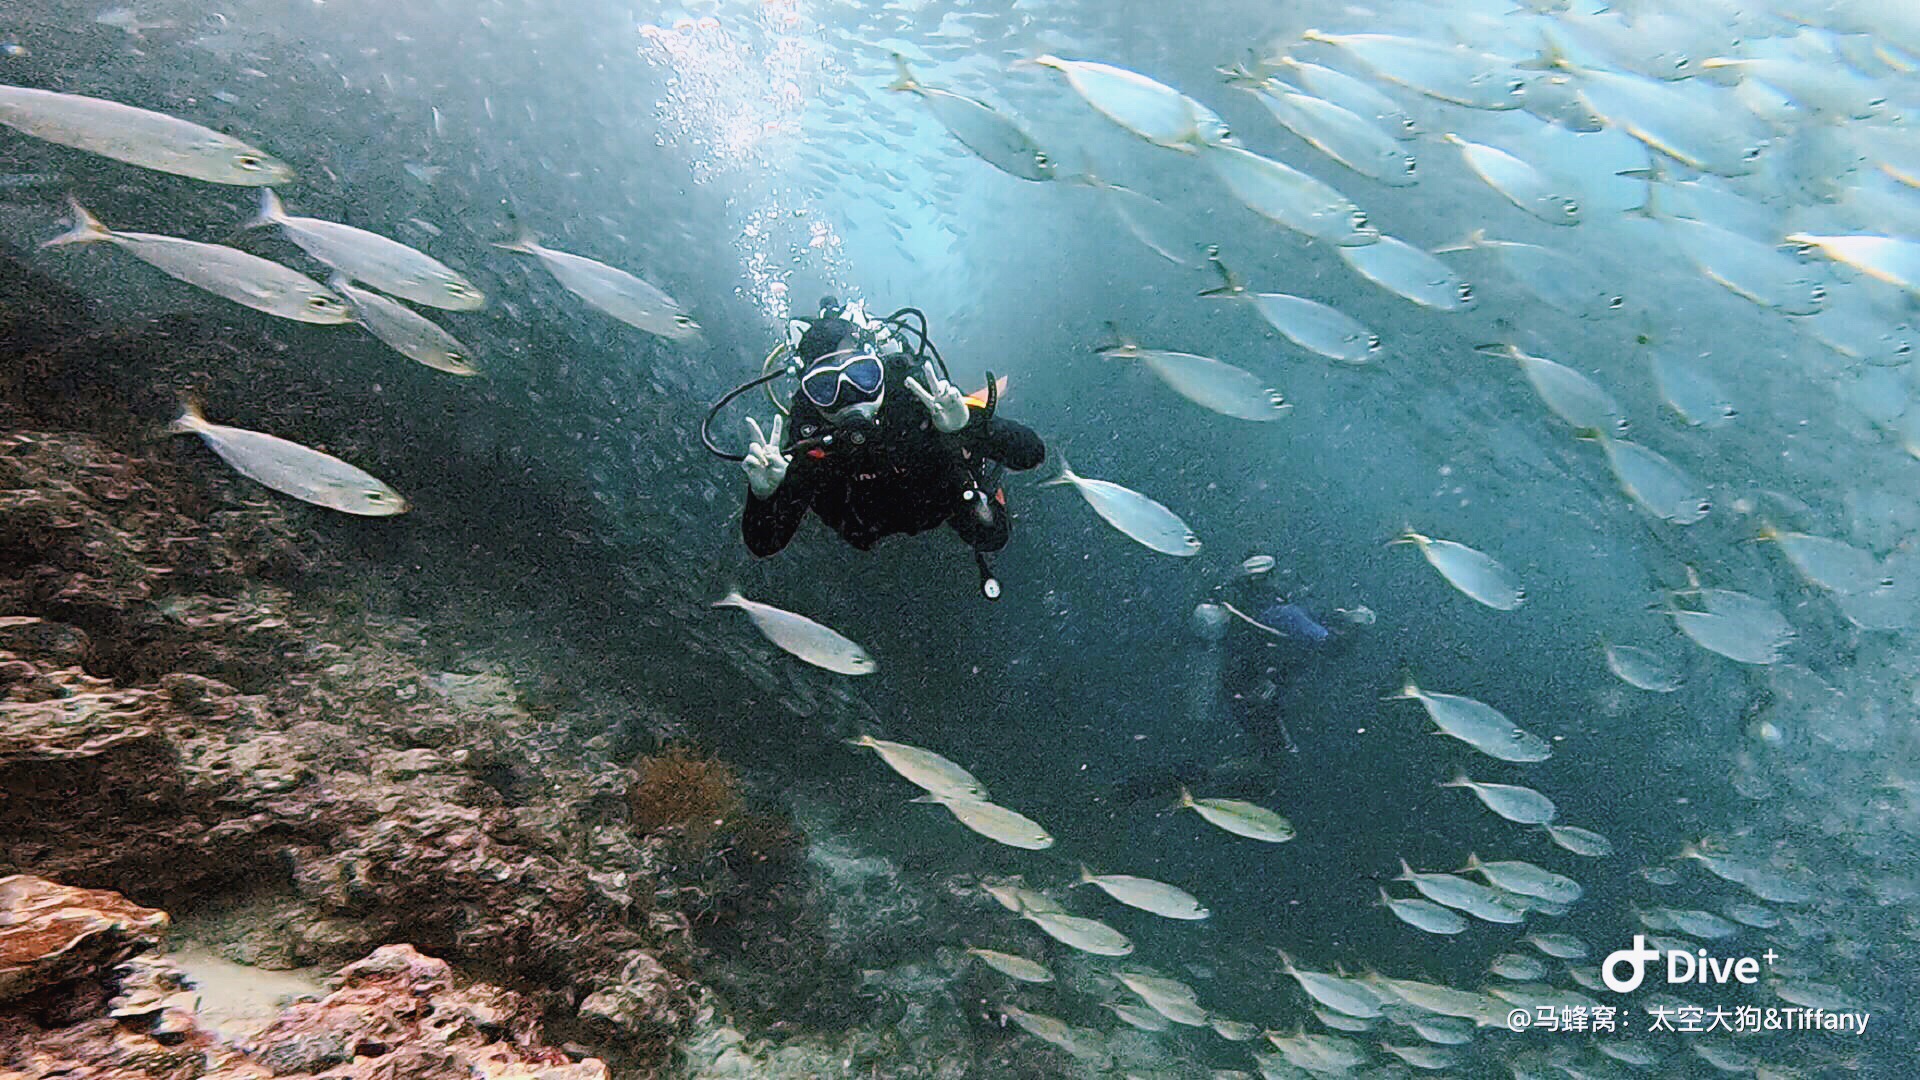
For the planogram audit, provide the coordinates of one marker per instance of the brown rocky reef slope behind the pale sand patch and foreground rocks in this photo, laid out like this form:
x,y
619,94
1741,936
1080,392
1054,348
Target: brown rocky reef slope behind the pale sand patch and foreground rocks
x,y
189,718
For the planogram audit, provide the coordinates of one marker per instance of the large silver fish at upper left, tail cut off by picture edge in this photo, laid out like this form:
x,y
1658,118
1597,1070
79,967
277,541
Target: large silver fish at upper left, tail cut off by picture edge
x,y
139,137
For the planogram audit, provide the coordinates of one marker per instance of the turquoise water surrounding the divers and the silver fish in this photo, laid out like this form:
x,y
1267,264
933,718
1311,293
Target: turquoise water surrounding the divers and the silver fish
x,y
748,159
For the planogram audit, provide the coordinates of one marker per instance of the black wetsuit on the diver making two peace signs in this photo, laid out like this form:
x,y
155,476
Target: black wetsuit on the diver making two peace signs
x,y
905,478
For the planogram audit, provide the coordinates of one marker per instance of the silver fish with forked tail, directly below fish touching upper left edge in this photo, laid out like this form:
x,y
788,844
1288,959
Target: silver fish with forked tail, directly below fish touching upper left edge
x,y
239,276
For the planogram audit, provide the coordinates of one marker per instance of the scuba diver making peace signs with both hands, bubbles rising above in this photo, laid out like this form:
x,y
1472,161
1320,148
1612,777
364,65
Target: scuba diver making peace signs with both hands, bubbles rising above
x,y
876,441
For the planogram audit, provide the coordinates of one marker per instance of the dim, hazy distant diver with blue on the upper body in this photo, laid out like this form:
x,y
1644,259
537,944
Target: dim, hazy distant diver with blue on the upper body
x,y
1253,639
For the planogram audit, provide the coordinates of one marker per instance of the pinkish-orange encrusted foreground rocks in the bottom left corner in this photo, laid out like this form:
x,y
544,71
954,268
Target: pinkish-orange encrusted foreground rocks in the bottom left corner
x,y
396,1012
